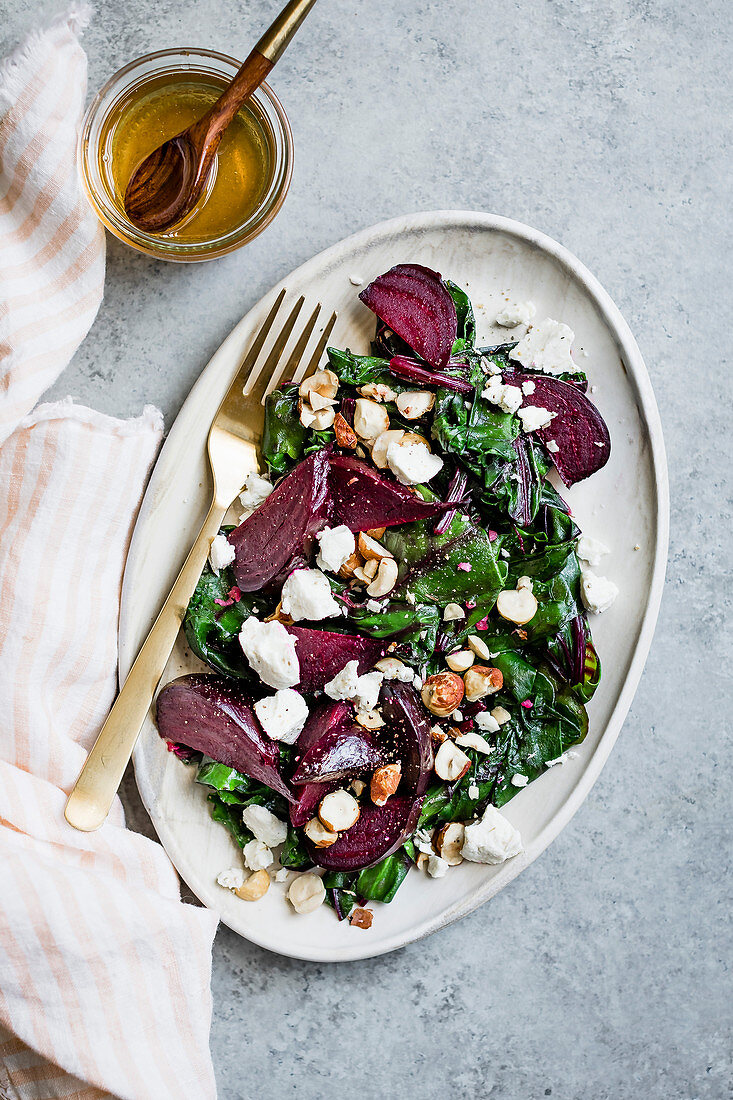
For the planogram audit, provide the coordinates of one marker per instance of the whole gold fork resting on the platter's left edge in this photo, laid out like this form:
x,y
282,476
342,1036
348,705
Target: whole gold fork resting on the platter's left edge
x,y
233,452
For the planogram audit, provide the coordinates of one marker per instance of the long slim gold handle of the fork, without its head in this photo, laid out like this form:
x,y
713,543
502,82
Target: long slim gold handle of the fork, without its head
x,y
94,793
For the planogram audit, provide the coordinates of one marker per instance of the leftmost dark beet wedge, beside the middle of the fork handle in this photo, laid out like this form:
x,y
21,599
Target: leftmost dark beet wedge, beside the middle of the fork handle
x,y
215,717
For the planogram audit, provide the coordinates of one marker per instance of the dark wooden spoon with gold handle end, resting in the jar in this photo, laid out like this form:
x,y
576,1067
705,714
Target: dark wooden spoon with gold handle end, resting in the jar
x,y
169,183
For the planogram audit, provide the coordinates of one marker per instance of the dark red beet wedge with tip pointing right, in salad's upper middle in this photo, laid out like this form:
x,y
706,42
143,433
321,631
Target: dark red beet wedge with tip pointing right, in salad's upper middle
x,y
364,499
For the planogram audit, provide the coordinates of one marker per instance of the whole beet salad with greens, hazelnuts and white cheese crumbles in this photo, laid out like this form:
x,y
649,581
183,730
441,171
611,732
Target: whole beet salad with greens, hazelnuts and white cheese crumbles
x,y
398,630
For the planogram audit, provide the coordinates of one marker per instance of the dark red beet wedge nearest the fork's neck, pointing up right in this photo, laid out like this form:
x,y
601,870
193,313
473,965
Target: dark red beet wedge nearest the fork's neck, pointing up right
x,y
282,529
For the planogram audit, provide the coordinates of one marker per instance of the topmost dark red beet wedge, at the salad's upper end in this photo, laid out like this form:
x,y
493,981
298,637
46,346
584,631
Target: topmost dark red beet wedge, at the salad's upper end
x,y
415,303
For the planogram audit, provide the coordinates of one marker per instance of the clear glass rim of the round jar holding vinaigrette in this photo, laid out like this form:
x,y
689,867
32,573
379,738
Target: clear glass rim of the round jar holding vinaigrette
x,y
270,114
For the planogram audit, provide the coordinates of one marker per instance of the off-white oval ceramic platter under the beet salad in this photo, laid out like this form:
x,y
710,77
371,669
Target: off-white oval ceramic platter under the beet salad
x,y
626,505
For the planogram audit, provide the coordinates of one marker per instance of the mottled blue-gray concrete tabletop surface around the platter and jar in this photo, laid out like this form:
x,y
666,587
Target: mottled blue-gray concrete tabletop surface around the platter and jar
x,y
603,973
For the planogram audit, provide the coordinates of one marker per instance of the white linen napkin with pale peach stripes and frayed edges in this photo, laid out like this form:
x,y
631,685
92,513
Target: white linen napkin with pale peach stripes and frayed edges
x,y
104,972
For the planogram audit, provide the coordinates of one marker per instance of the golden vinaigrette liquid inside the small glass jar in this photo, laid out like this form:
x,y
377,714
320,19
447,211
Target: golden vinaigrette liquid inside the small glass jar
x,y
161,109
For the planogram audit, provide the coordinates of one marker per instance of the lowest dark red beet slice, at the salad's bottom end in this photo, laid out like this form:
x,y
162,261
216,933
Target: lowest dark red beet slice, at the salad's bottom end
x,y
379,832
